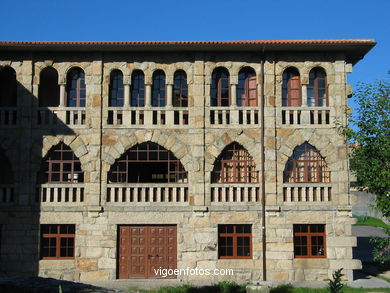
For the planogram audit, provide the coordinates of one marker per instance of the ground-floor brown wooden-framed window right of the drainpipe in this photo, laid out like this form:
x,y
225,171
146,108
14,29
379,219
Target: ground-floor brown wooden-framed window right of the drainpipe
x,y
309,241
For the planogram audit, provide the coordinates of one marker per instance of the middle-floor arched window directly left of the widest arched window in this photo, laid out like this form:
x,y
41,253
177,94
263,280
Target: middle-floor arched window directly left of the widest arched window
x,y
60,165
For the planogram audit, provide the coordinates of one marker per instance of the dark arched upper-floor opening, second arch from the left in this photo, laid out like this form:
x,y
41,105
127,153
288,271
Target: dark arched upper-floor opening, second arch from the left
x,y
49,90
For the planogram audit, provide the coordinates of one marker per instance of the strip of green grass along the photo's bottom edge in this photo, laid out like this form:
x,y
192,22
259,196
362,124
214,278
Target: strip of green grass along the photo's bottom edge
x,y
227,287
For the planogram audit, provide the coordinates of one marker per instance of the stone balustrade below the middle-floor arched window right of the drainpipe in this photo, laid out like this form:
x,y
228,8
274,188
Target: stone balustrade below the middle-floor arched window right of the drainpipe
x,y
314,192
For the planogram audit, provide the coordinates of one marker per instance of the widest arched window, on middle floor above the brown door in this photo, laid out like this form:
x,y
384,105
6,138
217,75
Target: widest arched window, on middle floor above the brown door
x,y
147,163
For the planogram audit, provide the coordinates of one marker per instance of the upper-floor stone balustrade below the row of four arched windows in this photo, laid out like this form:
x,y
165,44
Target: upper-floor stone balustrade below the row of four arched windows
x,y
147,116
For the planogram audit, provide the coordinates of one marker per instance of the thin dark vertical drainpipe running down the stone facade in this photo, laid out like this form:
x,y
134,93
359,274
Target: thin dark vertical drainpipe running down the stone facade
x,y
263,166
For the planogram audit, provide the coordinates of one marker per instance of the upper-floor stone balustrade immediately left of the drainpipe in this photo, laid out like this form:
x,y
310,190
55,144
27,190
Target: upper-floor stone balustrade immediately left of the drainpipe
x,y
234,116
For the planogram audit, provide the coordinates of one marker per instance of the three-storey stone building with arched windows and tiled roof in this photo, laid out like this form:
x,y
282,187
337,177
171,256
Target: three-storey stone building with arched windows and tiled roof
x,y
118,158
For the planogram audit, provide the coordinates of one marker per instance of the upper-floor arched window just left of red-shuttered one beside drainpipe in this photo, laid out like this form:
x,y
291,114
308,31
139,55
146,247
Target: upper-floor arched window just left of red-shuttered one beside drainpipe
x,y
220,87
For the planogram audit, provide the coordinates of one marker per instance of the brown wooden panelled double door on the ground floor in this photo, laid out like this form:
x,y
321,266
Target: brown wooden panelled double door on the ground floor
x,y
144,249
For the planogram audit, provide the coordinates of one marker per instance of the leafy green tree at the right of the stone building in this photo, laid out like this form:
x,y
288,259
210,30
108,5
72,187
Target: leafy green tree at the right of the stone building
x,y
369,132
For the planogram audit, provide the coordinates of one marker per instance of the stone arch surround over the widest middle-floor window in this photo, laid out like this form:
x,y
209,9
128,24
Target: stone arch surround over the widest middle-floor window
x,y
171,143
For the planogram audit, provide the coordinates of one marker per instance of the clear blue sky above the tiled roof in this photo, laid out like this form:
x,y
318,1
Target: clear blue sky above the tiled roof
x,y
155,20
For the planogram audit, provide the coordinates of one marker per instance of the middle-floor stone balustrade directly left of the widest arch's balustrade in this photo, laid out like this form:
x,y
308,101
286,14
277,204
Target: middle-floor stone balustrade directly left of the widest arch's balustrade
x,y
60,193
